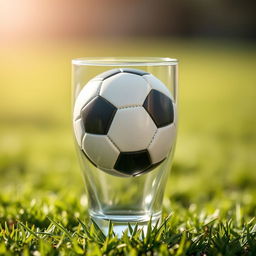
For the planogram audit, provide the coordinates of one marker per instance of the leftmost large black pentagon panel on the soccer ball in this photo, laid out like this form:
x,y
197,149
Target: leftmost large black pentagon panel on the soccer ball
x,y
97,116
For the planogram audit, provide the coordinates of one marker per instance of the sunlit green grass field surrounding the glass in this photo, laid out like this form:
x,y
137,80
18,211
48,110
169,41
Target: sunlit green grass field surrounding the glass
x,y
211,191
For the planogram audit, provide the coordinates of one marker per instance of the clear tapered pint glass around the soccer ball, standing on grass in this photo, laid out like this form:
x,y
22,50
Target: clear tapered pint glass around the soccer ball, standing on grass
x,y
133,199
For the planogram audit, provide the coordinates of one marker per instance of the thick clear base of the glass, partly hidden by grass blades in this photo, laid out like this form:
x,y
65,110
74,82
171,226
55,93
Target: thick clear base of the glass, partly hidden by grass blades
x,y
120,221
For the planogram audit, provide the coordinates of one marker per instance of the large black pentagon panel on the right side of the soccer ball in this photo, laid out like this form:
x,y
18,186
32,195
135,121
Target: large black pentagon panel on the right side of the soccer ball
x,y
160,108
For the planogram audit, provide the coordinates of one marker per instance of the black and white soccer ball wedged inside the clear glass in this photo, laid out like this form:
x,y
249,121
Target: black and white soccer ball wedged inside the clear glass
x,y
124,121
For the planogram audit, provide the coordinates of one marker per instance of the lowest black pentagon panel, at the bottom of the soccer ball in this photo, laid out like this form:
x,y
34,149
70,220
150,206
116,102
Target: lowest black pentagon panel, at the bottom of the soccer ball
x,y
133,162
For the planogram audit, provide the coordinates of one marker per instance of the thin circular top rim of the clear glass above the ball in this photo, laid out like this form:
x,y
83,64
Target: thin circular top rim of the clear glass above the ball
x,y
125,61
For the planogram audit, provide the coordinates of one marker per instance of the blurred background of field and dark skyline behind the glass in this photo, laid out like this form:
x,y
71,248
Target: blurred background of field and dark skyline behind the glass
x,y
215,43
